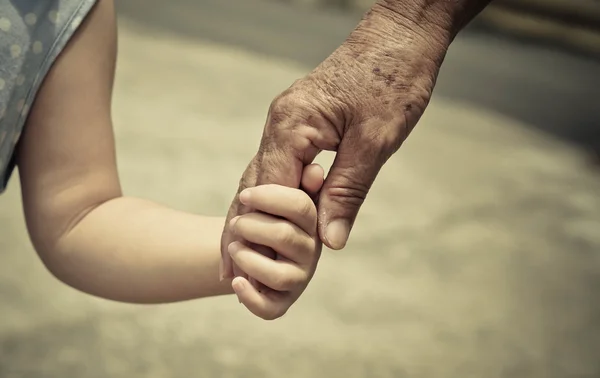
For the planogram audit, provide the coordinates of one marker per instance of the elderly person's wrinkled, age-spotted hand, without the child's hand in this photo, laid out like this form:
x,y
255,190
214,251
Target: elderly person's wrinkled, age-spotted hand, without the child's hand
x,y
362,102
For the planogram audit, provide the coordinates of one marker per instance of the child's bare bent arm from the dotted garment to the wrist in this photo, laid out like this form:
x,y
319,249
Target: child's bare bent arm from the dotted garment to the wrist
x,y
86,232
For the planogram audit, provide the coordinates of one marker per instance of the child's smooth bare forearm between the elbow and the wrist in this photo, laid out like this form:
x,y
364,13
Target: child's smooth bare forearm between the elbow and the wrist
x,y
133,250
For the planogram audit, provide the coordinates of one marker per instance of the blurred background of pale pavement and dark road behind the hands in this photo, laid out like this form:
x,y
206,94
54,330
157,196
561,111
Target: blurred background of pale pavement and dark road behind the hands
x,y
477,253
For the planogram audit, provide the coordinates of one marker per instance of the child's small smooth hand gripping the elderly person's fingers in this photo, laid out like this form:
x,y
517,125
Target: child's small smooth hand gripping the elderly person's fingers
x,y
285,220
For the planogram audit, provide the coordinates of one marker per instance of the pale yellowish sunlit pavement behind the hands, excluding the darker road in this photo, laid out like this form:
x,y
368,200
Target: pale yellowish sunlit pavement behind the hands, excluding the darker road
x,y
477,253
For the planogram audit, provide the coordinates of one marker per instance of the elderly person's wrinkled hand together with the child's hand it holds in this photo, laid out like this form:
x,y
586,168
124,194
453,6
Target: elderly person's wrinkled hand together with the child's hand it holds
x,y
362,102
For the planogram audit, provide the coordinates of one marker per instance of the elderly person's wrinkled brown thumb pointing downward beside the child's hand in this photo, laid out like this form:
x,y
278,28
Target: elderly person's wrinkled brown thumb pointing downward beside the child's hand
x,y
345,189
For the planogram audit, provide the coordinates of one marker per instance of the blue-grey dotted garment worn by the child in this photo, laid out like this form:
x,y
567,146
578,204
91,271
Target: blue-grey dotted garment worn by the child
x,y
32,35
